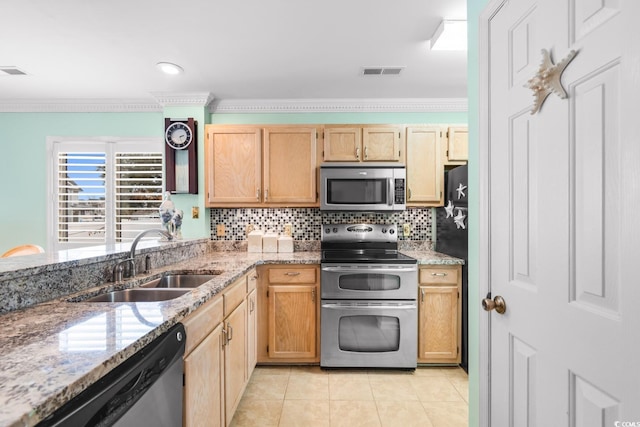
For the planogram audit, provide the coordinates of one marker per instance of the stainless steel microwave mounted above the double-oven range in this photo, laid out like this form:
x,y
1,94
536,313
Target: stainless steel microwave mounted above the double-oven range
x,y
368,187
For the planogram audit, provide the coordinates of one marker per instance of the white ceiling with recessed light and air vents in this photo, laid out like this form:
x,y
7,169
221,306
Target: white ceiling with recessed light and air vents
x,y
234,49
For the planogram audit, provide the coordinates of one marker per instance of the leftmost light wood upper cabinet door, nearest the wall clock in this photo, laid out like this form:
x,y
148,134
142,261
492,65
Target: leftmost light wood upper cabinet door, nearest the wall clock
x,y
233,160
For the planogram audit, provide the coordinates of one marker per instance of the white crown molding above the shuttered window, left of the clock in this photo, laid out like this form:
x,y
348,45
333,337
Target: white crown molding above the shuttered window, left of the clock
x,y
79,106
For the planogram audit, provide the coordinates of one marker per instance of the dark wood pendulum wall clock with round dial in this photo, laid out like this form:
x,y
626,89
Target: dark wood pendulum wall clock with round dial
x,y
181,162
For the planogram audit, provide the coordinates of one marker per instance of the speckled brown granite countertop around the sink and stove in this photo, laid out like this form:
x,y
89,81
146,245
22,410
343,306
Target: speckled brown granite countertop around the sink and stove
x,y
51,352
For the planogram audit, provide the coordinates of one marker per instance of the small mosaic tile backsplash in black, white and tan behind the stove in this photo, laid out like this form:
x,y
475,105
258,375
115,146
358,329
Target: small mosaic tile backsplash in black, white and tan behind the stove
x,y
306,222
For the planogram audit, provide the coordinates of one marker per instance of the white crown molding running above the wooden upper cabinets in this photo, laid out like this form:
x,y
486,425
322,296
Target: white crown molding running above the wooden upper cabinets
x,y
383,105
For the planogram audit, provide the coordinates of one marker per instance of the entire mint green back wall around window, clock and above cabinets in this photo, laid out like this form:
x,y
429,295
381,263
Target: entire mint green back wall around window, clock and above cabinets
x,y
23,161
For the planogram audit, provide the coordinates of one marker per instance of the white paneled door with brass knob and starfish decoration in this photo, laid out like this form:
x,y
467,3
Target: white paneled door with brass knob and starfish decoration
x,y
560,191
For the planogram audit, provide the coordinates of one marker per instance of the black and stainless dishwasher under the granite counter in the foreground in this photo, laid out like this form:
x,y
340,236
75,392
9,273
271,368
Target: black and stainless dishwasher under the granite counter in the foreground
x,y
145,390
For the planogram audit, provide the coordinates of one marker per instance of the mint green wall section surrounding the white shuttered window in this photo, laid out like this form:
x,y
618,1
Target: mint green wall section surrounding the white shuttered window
x,y
23,162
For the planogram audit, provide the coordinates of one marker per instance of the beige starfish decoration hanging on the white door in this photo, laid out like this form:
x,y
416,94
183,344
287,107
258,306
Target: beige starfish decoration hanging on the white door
x,y
547,79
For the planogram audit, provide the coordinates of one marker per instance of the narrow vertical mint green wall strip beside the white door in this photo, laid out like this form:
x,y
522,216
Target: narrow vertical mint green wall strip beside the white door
x,y
474,8
